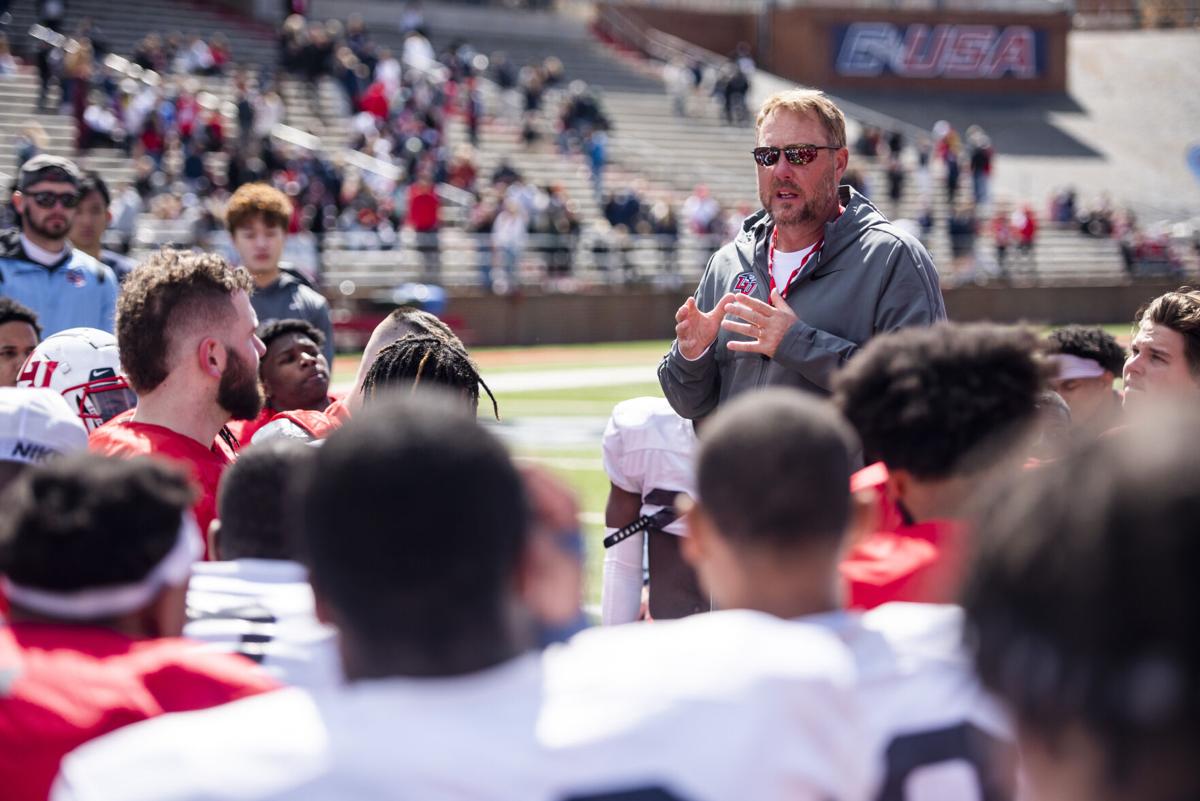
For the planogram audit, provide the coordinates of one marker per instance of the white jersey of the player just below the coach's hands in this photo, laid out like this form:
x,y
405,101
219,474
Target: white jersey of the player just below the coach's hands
x,y
647,447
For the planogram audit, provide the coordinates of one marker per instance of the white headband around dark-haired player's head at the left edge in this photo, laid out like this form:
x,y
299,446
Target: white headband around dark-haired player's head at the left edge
x,y
173,570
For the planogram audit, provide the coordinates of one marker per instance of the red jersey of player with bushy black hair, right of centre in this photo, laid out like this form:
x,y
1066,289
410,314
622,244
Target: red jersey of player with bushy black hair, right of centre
x,y
922,564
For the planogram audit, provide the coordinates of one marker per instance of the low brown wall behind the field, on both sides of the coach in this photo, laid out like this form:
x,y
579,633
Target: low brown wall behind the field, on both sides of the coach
x,y
626,316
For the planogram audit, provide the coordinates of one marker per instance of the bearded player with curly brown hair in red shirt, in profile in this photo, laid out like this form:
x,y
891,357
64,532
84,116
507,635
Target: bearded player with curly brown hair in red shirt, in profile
x,y
187,334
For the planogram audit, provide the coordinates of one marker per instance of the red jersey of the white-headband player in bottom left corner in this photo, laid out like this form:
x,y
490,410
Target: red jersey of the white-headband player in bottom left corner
x,y
67,685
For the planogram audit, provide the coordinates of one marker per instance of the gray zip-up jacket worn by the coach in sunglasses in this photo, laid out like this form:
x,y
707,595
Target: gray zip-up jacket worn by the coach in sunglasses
x,y
871,278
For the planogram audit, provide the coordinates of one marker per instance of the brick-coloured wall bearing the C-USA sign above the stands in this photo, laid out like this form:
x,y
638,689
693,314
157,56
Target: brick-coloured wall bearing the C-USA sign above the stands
x,y
881,49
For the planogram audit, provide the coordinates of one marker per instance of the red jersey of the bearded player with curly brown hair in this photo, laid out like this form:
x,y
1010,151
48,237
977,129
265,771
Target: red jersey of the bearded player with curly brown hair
x,y
124,438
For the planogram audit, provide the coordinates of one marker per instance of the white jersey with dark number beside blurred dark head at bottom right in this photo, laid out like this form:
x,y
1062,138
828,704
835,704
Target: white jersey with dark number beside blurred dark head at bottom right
x,y
935,733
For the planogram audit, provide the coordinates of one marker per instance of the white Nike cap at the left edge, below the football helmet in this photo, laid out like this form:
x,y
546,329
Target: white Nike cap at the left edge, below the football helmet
x,y
37,425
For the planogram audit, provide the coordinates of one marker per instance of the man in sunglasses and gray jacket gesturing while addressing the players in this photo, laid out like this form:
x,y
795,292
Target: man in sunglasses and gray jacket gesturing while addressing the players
x,y
813,275
